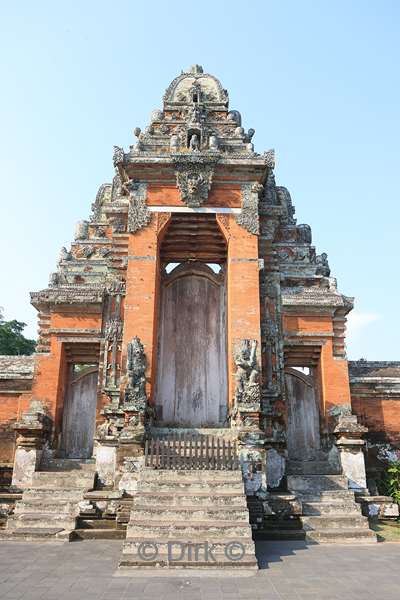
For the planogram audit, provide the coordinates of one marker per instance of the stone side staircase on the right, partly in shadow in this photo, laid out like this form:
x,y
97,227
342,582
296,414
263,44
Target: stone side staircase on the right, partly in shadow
x,y
330,512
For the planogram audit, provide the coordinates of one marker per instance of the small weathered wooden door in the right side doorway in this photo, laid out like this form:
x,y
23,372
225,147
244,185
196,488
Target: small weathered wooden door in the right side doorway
x,y
303,429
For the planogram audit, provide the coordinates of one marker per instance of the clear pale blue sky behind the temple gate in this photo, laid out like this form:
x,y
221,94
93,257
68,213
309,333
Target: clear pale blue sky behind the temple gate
x,y
319,82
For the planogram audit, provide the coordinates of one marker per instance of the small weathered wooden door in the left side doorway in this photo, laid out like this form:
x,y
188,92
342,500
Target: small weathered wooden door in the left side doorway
x,y
79,415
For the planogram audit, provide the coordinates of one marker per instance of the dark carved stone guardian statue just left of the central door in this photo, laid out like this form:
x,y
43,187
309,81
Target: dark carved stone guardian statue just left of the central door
x,y
135,393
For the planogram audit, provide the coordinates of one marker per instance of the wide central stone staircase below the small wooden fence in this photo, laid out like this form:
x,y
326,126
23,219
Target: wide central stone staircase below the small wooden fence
x,y
189,519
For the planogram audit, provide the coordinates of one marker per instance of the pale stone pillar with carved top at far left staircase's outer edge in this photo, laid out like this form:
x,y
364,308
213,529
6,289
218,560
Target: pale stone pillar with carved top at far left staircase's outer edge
x,y
32,431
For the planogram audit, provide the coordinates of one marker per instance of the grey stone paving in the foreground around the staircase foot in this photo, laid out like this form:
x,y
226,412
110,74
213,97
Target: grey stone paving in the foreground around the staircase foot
x,y
291,570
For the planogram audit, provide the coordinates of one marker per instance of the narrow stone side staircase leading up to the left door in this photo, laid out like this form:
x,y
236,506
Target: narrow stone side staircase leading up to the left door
x,y
49,508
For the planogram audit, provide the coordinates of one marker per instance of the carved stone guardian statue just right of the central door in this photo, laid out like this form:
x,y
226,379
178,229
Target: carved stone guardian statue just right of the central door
x,y
247,373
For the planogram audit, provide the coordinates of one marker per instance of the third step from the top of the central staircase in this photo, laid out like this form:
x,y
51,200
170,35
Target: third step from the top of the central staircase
x,y
178,498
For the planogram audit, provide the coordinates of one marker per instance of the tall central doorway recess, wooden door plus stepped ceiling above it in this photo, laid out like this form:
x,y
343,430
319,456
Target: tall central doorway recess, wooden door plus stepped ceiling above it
x,y
191,389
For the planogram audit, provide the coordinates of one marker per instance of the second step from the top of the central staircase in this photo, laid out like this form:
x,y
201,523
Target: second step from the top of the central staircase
x,y
173,486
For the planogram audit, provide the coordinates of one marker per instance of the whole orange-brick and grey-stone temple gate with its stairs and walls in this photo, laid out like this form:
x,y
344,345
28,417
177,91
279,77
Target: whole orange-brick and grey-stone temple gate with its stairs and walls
x,y
190,381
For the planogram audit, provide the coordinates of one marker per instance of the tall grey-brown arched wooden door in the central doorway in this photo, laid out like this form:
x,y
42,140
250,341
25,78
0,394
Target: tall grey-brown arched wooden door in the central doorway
x,y
192,368
